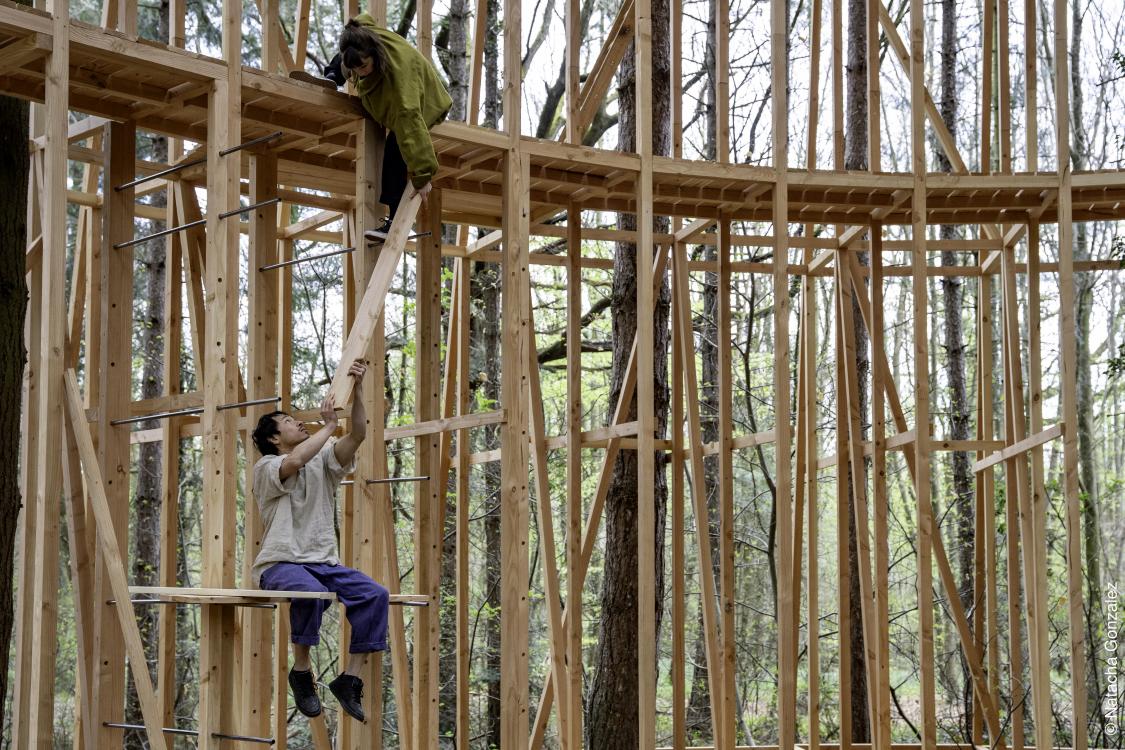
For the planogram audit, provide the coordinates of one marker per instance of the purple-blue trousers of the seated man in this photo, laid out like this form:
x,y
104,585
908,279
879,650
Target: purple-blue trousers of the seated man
x,y
365,602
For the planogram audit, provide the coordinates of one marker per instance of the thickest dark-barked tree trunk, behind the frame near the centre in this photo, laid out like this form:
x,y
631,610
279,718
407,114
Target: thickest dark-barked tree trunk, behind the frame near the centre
x,y
613,710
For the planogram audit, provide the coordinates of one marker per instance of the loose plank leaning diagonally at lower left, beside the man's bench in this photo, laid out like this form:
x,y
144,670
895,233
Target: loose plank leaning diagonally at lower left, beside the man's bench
x,y
107,540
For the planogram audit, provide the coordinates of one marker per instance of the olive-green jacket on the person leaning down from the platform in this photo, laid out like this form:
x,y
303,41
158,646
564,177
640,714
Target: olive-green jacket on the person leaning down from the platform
x,y
409,101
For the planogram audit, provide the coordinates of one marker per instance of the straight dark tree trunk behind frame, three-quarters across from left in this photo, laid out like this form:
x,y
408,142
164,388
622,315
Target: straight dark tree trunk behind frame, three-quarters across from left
x,y
856,158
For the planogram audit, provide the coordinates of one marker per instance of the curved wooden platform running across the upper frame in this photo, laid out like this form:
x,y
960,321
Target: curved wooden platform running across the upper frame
x,y
166,91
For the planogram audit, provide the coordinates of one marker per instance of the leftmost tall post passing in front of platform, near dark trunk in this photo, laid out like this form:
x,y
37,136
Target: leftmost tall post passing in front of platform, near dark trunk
x,y
46,503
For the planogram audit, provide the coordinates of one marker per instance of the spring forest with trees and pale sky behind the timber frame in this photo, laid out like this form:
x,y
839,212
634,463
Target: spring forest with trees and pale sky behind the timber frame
x,y
955,66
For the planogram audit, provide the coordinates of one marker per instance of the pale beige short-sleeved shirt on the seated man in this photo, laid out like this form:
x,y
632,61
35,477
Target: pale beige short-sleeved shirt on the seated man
x,y
299,514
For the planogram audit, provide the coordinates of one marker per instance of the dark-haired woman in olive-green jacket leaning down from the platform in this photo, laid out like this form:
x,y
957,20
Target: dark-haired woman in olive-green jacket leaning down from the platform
x,y
401,91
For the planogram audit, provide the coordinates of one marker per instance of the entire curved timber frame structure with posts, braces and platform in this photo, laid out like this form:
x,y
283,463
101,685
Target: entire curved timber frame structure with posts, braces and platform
x,y
510,183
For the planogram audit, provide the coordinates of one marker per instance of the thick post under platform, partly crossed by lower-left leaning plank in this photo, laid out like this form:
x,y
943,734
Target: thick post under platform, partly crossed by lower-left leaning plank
x,y
116,292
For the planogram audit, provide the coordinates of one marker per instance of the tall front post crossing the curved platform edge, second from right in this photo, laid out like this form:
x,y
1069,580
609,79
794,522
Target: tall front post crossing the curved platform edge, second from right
x,y
922,377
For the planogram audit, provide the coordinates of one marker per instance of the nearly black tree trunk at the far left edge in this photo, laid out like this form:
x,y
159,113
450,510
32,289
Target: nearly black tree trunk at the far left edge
x,y
14,134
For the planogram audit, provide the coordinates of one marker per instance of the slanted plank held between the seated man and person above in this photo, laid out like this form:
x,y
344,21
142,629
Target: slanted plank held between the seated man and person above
x,y
376,295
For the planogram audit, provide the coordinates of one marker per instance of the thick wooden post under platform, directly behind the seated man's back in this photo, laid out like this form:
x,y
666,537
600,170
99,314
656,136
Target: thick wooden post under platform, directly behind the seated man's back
x,y
262,383
